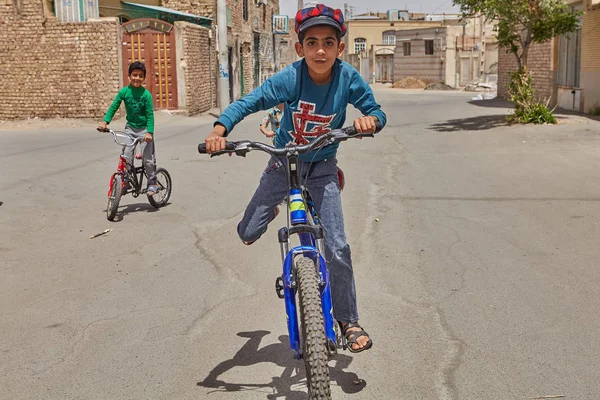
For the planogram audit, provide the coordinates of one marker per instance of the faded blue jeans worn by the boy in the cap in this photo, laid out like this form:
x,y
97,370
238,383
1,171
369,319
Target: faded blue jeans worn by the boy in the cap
x,y
321,179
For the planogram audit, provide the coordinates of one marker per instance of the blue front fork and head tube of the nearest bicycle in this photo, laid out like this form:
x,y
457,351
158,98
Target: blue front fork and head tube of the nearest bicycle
x,y
311,246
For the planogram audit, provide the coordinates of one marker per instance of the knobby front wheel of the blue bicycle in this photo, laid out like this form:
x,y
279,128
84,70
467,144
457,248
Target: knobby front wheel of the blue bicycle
x,y
314,341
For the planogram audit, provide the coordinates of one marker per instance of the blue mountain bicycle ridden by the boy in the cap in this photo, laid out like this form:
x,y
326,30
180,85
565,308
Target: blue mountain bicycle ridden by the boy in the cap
x,y
312,331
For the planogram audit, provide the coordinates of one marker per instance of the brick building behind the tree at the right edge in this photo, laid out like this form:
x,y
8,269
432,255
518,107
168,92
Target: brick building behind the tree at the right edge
x,y
566,69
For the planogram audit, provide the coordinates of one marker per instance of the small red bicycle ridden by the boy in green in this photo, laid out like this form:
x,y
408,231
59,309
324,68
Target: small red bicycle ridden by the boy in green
x,y
129,178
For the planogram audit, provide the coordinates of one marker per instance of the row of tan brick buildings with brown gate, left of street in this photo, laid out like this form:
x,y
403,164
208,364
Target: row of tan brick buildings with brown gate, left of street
x,y
74,69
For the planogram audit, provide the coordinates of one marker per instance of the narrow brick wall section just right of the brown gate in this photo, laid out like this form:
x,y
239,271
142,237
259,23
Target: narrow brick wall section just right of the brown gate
x,y
197,80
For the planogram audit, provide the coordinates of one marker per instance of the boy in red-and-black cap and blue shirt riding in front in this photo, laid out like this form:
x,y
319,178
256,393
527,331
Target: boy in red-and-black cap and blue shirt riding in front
x,y
314,105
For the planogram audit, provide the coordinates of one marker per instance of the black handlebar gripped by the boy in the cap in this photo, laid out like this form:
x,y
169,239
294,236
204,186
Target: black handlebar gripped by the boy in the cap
x,y
241,148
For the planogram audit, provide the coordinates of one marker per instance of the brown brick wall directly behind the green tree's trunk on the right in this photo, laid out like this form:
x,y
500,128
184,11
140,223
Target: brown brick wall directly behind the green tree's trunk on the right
x,y
541,65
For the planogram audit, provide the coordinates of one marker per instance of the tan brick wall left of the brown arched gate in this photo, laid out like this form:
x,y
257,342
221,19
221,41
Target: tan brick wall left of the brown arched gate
x,y
52,69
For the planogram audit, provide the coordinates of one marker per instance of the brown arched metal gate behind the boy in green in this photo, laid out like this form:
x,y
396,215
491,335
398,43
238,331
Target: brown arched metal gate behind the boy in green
x,y
153,42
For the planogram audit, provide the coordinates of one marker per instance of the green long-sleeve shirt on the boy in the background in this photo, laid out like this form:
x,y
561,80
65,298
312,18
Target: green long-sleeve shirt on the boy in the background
x,y
138,106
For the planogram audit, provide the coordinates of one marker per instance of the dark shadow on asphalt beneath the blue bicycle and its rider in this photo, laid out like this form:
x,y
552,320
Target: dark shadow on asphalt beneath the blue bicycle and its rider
x,y
291,384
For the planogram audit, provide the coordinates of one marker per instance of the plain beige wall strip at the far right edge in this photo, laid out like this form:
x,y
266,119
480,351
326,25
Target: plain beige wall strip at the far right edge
x,y
590,57
